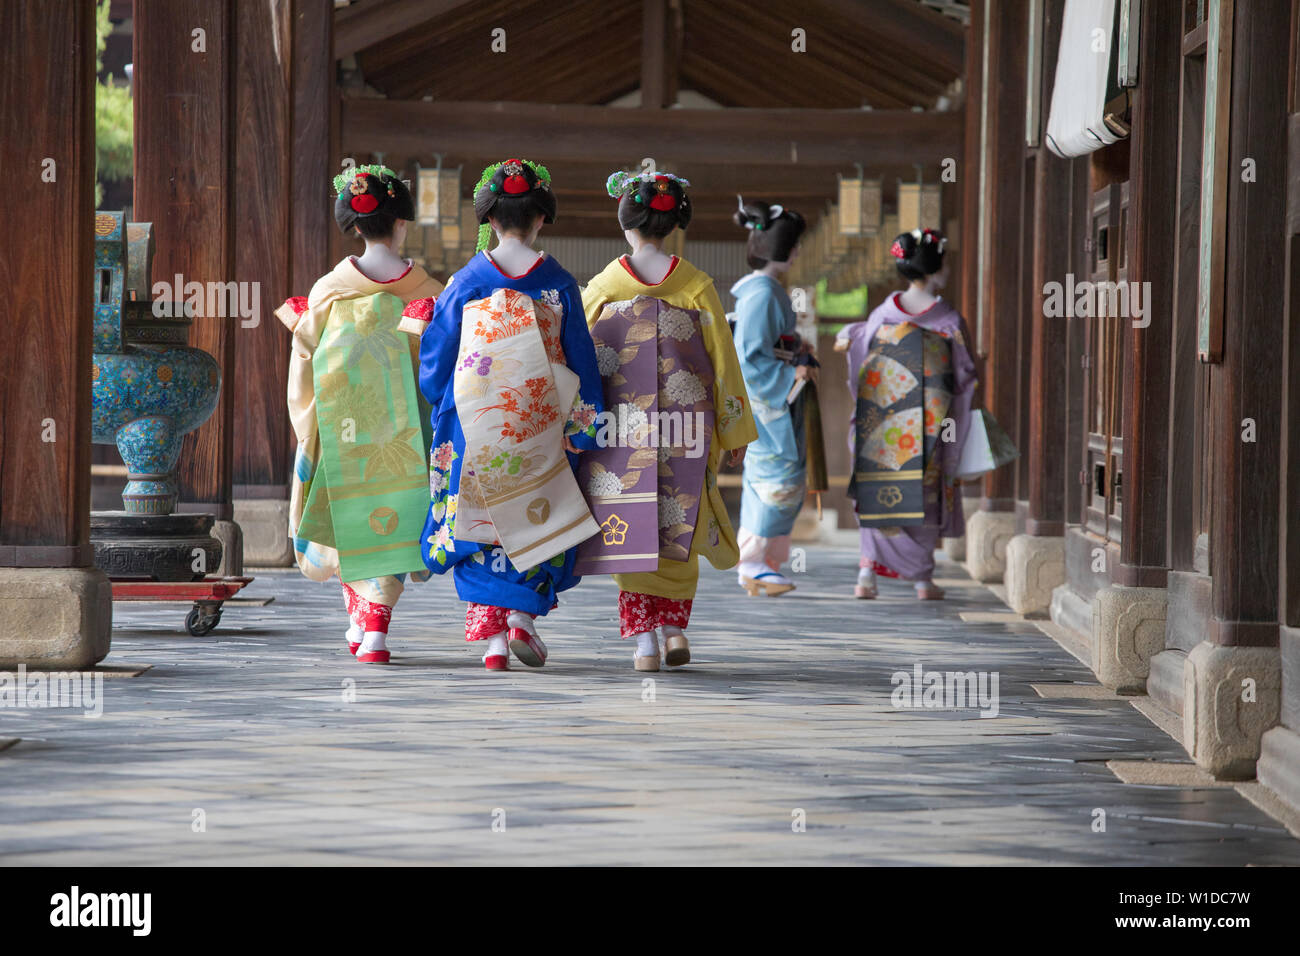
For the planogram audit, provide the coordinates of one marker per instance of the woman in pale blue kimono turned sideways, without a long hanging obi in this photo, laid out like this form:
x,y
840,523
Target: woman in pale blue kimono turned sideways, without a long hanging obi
x,y
773,361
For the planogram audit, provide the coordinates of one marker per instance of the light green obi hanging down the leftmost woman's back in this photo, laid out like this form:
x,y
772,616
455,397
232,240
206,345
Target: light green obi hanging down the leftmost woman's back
x,y
370,494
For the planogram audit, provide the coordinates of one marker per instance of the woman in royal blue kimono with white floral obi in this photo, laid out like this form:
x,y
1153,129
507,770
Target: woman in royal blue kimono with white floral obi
x,y
510,370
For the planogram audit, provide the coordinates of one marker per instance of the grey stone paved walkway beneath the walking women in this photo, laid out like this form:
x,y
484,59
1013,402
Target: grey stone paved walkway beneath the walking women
x,y
785,715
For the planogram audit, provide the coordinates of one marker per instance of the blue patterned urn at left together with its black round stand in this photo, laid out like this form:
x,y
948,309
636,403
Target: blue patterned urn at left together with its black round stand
x,y
149,390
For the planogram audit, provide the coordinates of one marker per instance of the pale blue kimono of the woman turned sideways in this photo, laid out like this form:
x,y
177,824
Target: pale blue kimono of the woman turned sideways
x,y
775,466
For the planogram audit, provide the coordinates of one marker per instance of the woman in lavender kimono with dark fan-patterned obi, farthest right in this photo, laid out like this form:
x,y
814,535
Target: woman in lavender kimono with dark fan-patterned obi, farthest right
x,y
913,377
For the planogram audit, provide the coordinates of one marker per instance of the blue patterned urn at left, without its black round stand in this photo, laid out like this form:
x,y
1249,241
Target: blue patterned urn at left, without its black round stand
x,y
150,388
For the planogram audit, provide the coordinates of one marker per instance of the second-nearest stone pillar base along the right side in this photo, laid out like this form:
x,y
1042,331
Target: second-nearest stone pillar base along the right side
x,y
1128,631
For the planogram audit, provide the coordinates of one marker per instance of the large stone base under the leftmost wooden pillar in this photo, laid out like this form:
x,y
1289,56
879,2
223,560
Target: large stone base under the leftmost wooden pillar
x,y
54,618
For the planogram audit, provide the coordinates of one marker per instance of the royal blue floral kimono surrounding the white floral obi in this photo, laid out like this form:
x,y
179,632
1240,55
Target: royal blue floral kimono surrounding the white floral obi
x,y
483,573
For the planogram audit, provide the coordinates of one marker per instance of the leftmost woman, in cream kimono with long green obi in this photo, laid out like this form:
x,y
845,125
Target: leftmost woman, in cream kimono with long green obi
x,y
361,475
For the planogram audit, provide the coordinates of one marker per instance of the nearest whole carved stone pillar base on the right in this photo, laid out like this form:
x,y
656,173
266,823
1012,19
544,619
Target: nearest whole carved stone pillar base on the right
x,y
1230,698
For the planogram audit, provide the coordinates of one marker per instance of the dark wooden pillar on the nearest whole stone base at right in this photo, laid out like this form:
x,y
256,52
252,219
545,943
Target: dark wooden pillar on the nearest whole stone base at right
x,y
1245,533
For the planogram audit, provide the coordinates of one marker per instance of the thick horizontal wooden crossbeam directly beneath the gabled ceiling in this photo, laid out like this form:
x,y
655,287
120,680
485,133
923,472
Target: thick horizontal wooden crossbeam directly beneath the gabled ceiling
x,y
742,137
